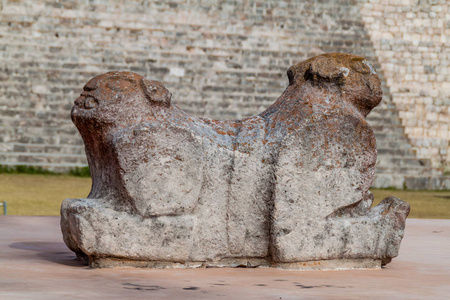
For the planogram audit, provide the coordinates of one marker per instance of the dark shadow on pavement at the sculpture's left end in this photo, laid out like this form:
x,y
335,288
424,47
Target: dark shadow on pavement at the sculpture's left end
x,y
51,251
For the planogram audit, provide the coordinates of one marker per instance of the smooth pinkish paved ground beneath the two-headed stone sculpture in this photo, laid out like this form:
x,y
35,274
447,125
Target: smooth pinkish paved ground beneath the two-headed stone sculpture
x,y
35,264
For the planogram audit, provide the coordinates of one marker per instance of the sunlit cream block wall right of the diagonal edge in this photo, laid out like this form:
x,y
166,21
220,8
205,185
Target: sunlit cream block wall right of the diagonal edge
x,y
412,41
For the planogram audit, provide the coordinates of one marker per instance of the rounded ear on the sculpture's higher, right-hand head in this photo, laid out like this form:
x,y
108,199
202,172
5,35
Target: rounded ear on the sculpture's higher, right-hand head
x,y
324,70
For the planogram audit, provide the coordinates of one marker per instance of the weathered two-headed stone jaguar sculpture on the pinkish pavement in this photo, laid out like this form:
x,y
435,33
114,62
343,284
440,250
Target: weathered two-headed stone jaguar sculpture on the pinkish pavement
x,y
287,188
